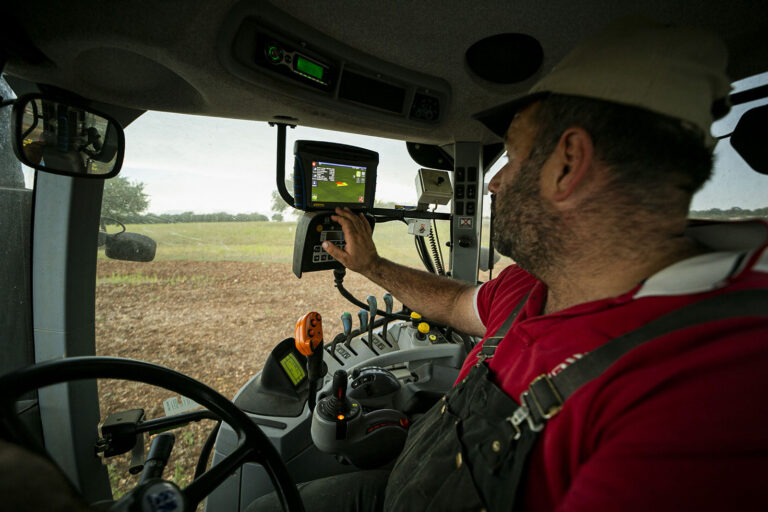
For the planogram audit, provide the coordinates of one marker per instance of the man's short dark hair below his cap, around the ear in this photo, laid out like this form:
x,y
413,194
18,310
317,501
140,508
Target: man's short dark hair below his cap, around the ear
x,y
646,152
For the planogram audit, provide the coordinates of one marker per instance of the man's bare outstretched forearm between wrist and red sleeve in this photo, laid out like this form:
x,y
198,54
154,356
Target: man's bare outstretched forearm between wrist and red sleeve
x,y
439,298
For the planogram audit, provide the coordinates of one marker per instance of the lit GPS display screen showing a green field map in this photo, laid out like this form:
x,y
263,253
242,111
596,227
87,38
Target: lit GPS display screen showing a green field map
x,y
338,183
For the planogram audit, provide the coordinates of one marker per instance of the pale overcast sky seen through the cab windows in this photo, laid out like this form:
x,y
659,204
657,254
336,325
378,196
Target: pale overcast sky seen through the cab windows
x,y
206,164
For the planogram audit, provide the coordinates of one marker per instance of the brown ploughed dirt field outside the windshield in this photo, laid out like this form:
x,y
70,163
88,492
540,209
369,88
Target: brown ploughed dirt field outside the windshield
x,y
215,321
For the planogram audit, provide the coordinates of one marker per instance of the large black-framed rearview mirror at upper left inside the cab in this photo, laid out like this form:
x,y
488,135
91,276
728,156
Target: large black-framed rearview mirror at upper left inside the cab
x,y
61,137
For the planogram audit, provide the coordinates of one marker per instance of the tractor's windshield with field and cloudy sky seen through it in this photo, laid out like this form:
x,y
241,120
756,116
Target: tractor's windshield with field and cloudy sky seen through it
x,y
220,292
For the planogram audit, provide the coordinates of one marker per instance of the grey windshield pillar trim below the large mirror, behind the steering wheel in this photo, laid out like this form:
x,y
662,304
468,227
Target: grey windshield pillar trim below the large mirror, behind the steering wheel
x,y
65,227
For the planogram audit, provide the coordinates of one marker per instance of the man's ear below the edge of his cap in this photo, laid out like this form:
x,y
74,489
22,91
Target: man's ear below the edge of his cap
x,y
569,165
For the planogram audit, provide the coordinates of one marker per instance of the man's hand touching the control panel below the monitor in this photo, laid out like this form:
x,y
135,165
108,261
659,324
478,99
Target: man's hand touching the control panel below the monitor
x,y
360,252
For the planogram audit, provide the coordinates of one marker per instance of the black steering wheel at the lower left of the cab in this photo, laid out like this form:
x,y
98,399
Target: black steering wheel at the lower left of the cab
x,y
252,444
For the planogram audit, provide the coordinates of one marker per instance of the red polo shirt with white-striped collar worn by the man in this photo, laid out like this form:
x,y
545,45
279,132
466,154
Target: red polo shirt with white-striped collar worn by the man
x,y
679,423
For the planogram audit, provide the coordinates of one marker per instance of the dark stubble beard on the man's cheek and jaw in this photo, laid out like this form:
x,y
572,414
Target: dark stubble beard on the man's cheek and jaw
x,y
525,228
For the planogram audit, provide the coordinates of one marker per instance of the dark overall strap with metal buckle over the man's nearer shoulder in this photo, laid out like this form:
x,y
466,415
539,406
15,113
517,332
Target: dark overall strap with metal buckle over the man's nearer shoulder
x,y
545,395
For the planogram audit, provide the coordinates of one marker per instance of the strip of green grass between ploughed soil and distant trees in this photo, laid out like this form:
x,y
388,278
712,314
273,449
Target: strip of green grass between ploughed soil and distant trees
x,y
264,241
